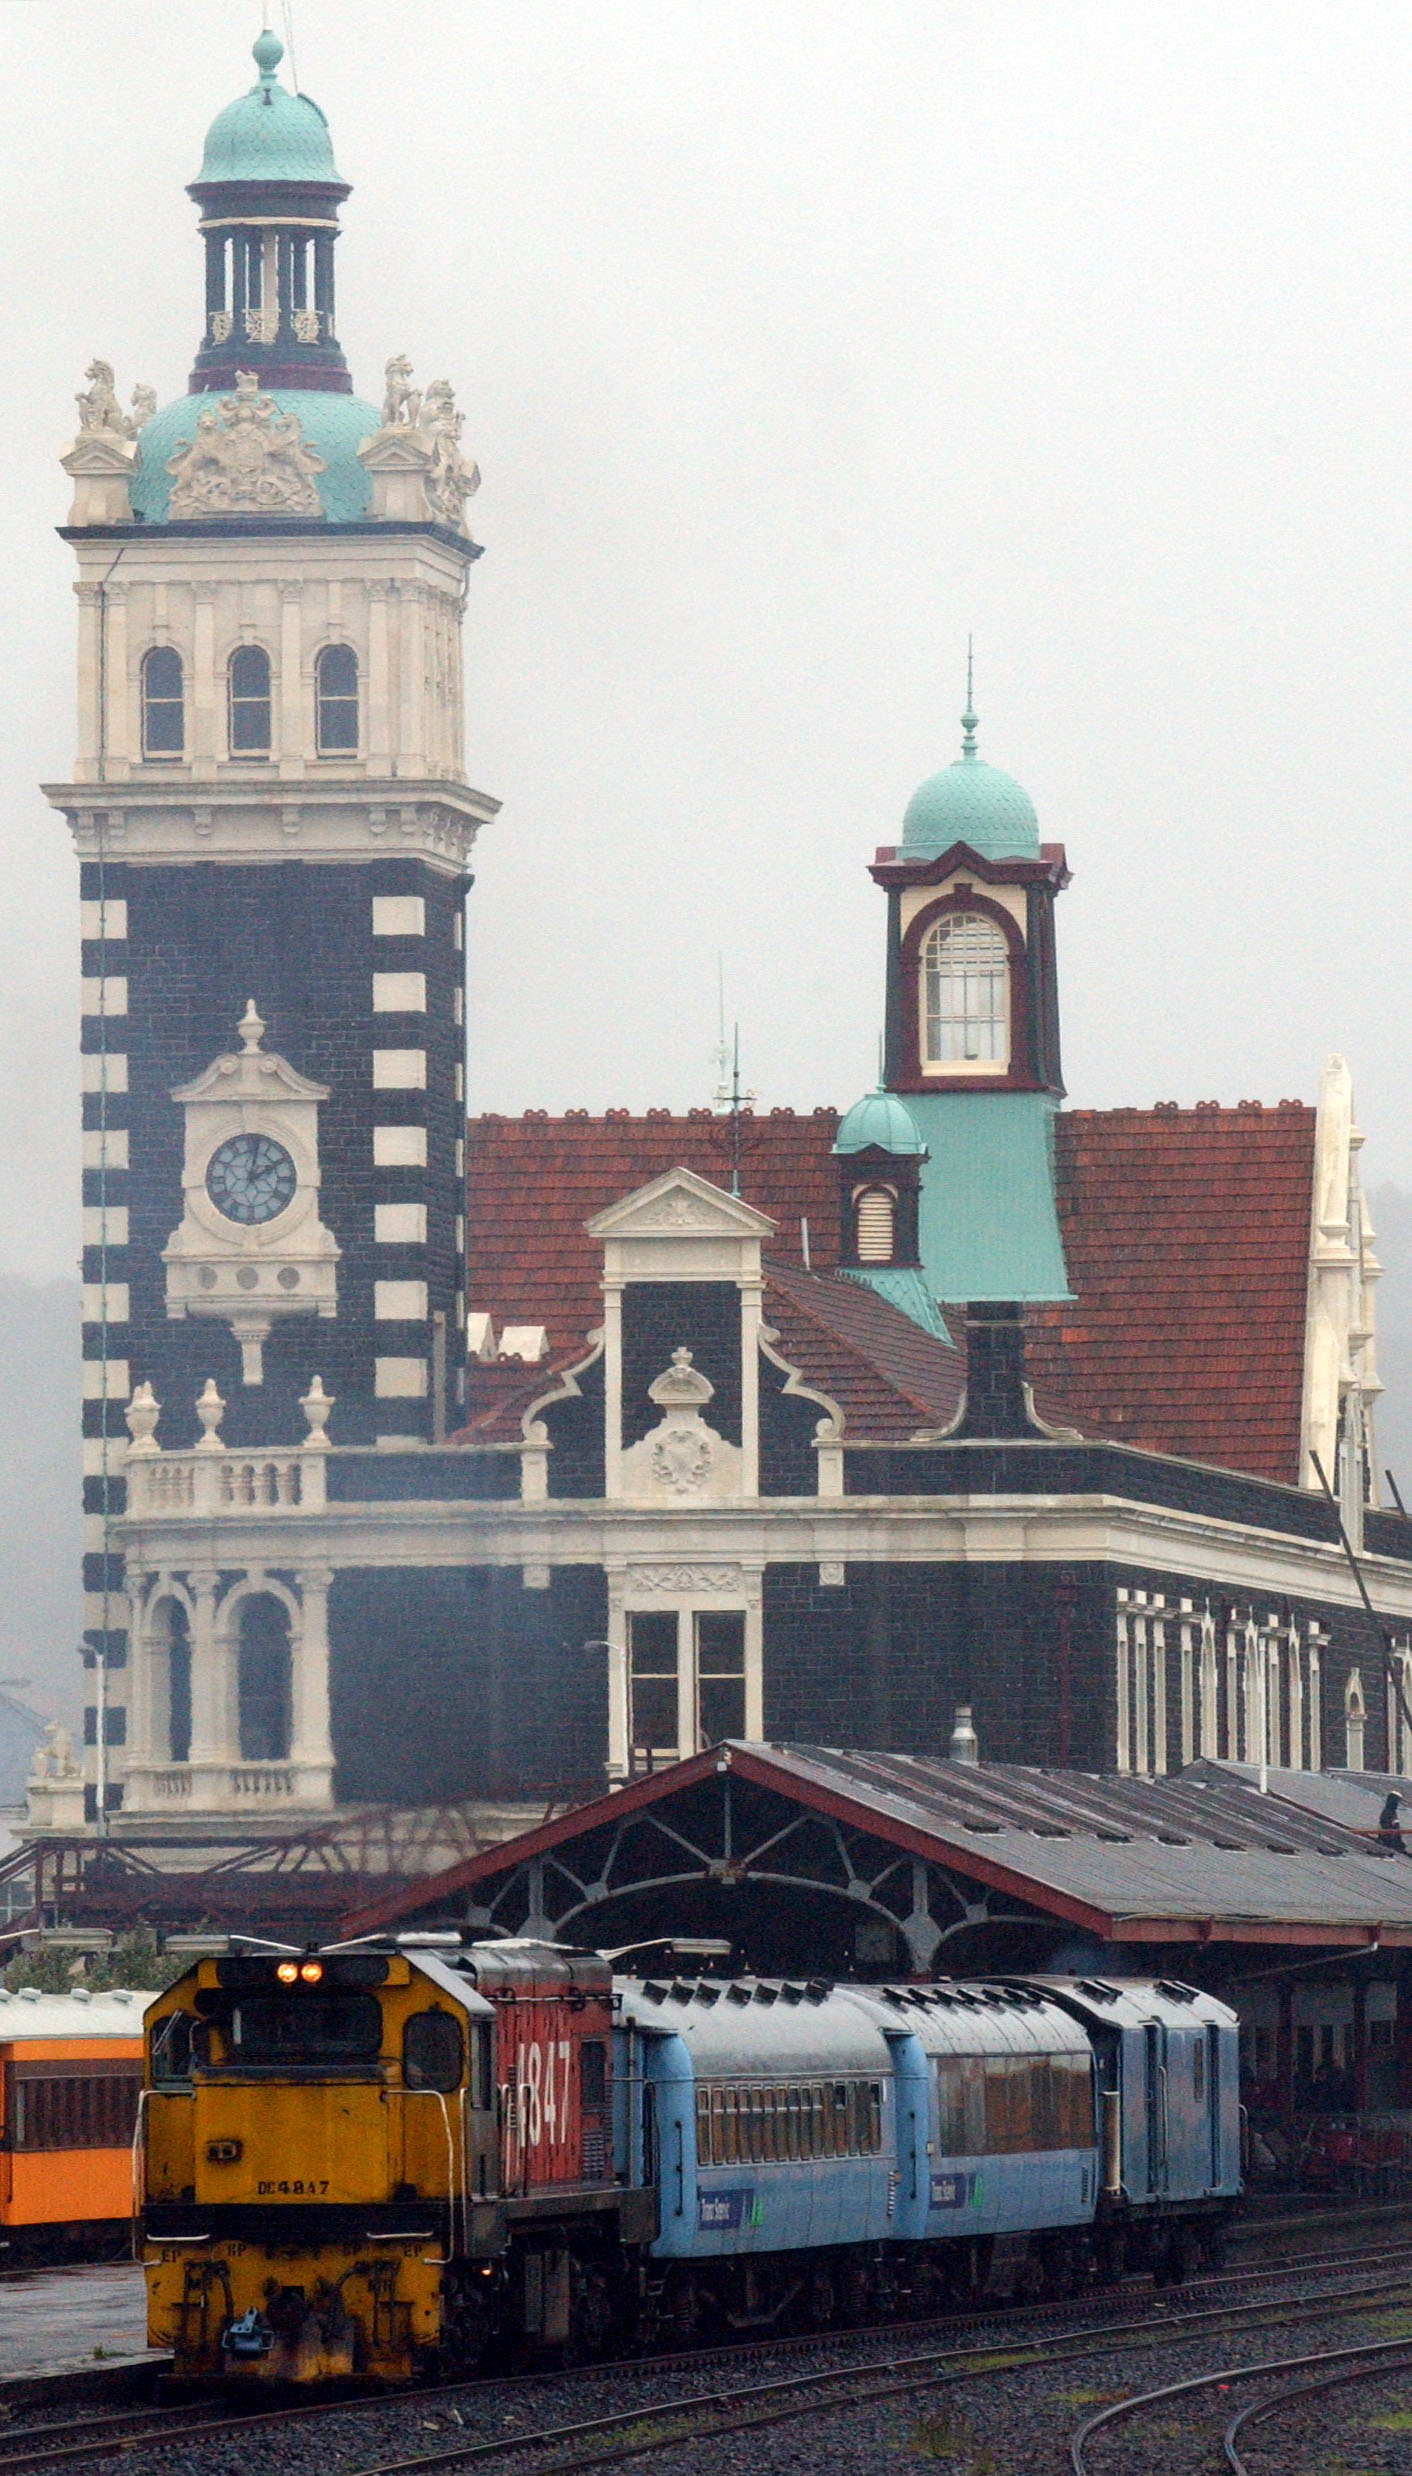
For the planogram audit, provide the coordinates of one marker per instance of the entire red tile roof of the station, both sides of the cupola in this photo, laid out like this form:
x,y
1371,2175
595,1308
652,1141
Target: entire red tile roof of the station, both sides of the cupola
x,y
1185,1237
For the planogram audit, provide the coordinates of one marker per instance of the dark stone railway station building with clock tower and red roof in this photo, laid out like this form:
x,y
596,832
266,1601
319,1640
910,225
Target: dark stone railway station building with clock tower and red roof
x,y
509,1460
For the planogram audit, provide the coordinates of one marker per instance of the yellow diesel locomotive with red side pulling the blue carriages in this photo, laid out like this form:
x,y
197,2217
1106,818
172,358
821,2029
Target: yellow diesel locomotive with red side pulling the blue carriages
x,y
373,2163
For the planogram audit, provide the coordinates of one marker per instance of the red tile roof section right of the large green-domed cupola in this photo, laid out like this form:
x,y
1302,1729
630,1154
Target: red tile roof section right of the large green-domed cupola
x,y
1188,1249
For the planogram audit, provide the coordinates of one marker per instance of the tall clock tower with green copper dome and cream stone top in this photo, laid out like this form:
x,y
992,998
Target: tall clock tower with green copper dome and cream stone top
x,y
274,828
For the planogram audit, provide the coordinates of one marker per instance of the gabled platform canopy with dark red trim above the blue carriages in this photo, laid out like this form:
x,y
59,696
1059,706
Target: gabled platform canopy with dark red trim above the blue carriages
x,y
866,1861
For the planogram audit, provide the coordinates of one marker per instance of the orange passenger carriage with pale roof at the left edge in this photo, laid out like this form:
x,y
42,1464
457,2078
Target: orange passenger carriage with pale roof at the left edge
x,y
71,2089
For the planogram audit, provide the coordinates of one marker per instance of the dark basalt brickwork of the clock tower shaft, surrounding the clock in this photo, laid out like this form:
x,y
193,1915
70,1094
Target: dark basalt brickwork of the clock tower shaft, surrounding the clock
x,y
299,940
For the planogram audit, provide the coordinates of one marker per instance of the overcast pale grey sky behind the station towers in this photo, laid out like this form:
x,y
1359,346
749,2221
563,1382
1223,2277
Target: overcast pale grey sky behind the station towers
x,y
799,340
